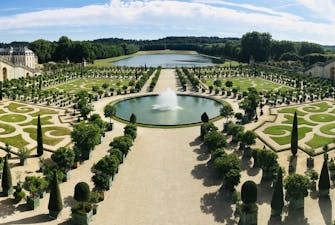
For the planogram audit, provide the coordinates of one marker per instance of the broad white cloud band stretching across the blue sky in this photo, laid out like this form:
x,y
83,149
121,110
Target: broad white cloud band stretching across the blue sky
x,y
210,17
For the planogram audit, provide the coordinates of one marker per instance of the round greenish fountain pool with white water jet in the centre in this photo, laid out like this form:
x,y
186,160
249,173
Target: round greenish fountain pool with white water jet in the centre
x,y
167,109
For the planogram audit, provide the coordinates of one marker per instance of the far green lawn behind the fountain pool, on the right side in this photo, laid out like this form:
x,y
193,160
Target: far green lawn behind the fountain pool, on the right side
x,y
244,83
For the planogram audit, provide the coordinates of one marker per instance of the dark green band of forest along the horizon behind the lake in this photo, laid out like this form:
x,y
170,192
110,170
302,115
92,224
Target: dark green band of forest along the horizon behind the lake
x,y
260,46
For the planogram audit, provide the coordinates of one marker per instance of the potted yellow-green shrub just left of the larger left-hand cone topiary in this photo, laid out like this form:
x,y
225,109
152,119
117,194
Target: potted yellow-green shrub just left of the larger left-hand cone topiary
x,y
35,185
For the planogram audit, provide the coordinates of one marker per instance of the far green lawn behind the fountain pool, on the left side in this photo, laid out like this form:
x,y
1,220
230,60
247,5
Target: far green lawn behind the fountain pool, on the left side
x,y
86,84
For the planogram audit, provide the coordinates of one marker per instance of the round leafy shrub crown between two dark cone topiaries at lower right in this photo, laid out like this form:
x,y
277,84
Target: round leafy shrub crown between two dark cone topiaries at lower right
x,y
296,186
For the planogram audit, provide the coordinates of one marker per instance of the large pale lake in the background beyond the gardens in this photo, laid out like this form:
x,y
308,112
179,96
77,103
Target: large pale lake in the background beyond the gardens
x,y
166,60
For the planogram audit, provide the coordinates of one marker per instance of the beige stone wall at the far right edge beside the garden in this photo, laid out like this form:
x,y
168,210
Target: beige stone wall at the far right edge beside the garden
x,y
325,70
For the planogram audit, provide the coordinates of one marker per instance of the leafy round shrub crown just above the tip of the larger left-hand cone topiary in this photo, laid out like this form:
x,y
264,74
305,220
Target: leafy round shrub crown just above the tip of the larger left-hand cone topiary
x,y
64,158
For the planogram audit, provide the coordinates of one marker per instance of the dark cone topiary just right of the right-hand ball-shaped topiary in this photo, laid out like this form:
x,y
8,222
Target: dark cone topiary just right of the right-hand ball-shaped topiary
x,y
277,201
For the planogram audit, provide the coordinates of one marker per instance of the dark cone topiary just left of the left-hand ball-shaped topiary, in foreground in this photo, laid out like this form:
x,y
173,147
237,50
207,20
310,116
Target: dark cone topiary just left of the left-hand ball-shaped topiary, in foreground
x,y
55,201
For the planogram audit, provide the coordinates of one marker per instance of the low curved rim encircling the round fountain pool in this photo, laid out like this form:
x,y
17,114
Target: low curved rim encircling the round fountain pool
x,y
222,102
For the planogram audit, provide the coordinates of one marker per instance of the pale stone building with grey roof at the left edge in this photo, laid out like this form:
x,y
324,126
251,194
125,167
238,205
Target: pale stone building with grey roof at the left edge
x,y
19,56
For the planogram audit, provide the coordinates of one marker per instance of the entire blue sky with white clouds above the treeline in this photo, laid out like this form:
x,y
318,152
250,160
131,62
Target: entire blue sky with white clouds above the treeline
x,y
296,20
